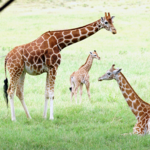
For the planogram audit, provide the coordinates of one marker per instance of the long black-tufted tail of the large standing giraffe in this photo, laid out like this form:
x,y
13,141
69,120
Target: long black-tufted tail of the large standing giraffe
x,y
5,87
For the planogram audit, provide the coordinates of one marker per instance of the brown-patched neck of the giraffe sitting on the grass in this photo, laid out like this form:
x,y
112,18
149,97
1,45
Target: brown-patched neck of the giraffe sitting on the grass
x,y
136,104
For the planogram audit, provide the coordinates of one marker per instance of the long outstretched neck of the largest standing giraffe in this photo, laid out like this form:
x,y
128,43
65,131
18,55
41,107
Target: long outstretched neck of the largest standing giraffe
x,y
70,36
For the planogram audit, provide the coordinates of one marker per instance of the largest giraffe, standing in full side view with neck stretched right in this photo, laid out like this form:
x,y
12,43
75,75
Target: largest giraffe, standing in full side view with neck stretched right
x,y
43,55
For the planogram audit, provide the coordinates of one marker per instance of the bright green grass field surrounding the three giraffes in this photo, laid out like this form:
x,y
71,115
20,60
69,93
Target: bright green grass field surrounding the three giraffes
x,y
98,124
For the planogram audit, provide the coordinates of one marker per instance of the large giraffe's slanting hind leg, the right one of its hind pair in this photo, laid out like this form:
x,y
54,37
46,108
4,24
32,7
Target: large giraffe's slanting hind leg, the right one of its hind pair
x,y
20,93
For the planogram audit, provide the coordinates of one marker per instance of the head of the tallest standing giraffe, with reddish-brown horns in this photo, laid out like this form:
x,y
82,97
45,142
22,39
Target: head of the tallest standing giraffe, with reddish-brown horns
x,y
107,23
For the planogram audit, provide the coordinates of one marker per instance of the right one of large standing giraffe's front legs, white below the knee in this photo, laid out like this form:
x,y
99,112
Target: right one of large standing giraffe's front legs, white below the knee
x,y
52,76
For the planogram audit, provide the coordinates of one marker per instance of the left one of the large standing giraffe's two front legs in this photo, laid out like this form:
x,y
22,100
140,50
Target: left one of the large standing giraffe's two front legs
x,y
47,92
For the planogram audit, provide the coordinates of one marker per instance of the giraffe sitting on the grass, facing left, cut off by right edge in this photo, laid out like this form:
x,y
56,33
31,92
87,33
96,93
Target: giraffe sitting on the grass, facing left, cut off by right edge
x,y
140,108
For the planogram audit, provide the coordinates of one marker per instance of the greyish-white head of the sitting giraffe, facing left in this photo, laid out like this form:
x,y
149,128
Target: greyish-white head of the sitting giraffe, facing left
x,y
112,73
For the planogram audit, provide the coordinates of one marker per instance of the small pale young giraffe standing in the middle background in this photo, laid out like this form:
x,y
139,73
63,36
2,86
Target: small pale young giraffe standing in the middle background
x,y
81,77
